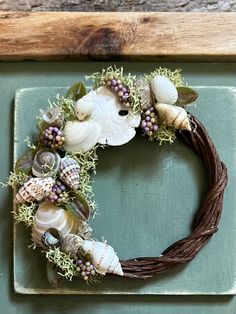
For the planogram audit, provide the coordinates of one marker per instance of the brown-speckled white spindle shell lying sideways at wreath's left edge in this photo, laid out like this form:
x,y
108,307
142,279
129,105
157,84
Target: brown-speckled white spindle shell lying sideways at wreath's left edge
x,y
34,189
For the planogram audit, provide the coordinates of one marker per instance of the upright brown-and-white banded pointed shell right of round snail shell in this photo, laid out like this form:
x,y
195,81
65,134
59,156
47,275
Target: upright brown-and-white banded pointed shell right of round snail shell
x,y
69,172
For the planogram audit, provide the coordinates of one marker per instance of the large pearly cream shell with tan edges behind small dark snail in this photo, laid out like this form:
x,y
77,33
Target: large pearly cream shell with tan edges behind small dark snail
x,y
50,216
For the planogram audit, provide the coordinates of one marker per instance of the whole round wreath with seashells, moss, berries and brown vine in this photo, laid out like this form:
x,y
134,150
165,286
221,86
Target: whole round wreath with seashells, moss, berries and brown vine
x,y
52,181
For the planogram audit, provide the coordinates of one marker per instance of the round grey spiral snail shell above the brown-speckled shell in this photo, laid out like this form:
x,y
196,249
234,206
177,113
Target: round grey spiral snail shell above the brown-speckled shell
x,y
46,163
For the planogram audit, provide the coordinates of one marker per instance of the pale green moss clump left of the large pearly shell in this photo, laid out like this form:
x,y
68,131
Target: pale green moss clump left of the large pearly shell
x,y
25,213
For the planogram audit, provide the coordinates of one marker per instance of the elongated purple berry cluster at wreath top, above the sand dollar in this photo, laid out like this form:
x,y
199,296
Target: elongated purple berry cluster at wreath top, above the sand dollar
x,y
120,89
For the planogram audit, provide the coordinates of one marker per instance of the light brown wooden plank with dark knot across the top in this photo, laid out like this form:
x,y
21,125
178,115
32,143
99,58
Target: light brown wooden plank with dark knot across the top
x,y
119,36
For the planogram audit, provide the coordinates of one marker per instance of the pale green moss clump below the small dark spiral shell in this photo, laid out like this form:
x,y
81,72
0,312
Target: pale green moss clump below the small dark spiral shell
x,y
62,261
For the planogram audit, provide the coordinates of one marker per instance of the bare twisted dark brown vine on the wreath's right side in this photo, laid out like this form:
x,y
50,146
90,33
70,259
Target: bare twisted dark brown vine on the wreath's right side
x,y
207,217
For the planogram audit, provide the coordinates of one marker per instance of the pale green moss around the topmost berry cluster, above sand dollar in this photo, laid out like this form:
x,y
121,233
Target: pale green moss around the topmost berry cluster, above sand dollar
x,y
127,79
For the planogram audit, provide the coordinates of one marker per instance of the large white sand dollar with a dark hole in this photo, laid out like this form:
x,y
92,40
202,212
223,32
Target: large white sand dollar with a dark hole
x,y
116,129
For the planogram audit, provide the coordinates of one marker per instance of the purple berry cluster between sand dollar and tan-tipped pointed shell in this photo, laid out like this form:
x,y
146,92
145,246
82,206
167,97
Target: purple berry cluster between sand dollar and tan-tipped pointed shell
x,y
149,121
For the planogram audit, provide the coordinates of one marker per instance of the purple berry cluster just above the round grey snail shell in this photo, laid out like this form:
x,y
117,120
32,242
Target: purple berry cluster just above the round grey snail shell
x,y
53,137
